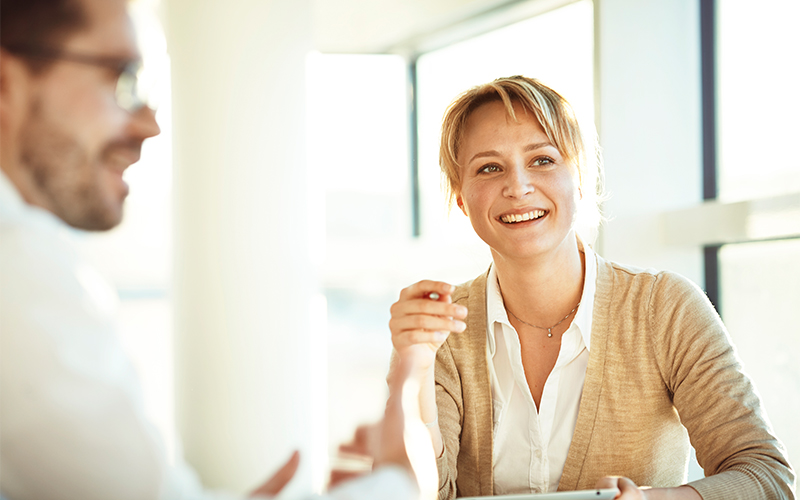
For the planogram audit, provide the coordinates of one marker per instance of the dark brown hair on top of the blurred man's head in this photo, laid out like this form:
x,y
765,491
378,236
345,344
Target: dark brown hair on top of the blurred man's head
x,y
37,24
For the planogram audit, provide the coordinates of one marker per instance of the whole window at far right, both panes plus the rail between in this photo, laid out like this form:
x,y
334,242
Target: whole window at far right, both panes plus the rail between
x,y
752,270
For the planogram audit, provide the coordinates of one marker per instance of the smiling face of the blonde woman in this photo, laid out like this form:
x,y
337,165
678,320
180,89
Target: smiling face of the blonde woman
x,y
519,193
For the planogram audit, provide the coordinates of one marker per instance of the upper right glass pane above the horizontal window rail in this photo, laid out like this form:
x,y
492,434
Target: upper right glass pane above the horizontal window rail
x,y
758,103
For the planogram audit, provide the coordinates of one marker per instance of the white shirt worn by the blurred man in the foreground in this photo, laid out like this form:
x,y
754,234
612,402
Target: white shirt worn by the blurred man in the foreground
x,y
72,421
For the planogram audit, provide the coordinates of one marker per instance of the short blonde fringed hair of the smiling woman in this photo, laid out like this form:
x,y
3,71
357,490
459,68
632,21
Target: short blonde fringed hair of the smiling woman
x,y
559,122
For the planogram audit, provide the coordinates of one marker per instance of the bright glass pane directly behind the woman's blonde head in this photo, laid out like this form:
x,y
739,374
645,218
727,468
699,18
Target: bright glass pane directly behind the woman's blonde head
x,y
525,48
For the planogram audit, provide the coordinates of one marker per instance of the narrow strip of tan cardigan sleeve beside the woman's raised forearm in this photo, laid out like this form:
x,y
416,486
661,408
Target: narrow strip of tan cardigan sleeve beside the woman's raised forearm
x,y
451,410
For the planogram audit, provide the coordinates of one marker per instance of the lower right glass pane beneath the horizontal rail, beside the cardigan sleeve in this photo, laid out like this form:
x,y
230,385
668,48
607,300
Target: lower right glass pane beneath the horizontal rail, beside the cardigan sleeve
x,y
760,292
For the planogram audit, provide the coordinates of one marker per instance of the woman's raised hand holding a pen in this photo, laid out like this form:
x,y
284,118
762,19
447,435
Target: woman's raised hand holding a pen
x,y
421,322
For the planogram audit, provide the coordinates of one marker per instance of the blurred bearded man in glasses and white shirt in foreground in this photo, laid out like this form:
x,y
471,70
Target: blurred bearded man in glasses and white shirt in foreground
x,y
72,120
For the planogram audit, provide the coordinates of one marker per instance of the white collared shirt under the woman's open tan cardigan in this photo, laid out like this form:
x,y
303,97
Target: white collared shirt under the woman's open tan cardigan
x,y
530,447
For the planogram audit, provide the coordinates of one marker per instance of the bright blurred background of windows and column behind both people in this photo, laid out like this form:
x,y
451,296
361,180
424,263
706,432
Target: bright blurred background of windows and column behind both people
x,y
294,191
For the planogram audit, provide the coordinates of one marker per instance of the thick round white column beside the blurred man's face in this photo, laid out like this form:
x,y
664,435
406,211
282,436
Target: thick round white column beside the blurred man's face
x,y
244,280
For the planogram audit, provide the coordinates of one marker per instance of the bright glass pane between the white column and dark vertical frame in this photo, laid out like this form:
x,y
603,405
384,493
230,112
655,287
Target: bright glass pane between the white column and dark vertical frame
x,y
357,143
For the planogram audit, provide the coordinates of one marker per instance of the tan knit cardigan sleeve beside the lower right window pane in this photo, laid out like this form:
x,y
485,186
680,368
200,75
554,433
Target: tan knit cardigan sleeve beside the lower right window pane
x,y
715,399
